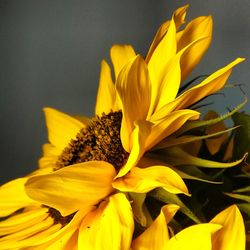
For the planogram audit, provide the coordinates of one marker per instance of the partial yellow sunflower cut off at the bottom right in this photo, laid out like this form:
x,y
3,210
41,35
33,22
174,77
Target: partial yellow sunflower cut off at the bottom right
x,y
225,231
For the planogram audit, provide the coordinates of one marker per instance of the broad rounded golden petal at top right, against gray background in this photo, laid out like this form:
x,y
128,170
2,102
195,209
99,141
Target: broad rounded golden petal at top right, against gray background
x,y
199,27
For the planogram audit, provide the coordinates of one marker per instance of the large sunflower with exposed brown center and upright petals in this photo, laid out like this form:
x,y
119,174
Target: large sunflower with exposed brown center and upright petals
x,y
91,179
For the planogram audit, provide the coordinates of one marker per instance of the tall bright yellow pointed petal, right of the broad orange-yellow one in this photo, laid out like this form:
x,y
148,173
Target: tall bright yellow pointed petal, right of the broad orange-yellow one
x,y
160,60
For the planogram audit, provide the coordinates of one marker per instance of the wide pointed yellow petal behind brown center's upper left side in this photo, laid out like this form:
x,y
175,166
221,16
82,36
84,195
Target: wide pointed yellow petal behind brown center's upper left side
x,y
62,128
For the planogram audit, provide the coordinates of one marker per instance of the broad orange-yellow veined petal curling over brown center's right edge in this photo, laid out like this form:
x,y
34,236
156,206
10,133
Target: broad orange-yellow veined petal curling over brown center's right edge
x,y
133,87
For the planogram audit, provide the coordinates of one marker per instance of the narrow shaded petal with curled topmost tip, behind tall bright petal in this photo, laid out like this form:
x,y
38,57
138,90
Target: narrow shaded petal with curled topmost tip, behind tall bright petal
x,y
179,18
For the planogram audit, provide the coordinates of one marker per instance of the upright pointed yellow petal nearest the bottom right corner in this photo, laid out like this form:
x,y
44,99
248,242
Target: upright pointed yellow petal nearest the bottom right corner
x,y
232,235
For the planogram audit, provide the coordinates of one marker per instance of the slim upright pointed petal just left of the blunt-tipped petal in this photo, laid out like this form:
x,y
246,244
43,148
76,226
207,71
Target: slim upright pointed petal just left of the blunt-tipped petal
x,y
105,100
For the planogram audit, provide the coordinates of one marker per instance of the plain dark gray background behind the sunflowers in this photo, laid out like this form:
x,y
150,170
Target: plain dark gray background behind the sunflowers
x,y
50,53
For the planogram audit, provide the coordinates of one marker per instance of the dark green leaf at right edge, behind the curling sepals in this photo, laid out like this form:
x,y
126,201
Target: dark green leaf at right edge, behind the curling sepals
x,y
242,135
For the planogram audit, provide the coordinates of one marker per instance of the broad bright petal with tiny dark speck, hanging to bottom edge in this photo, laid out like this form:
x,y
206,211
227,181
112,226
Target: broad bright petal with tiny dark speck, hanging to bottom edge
x,y
108,227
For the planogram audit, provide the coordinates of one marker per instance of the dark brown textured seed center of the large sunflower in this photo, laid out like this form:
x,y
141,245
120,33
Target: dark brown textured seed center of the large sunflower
x,y
99,141
